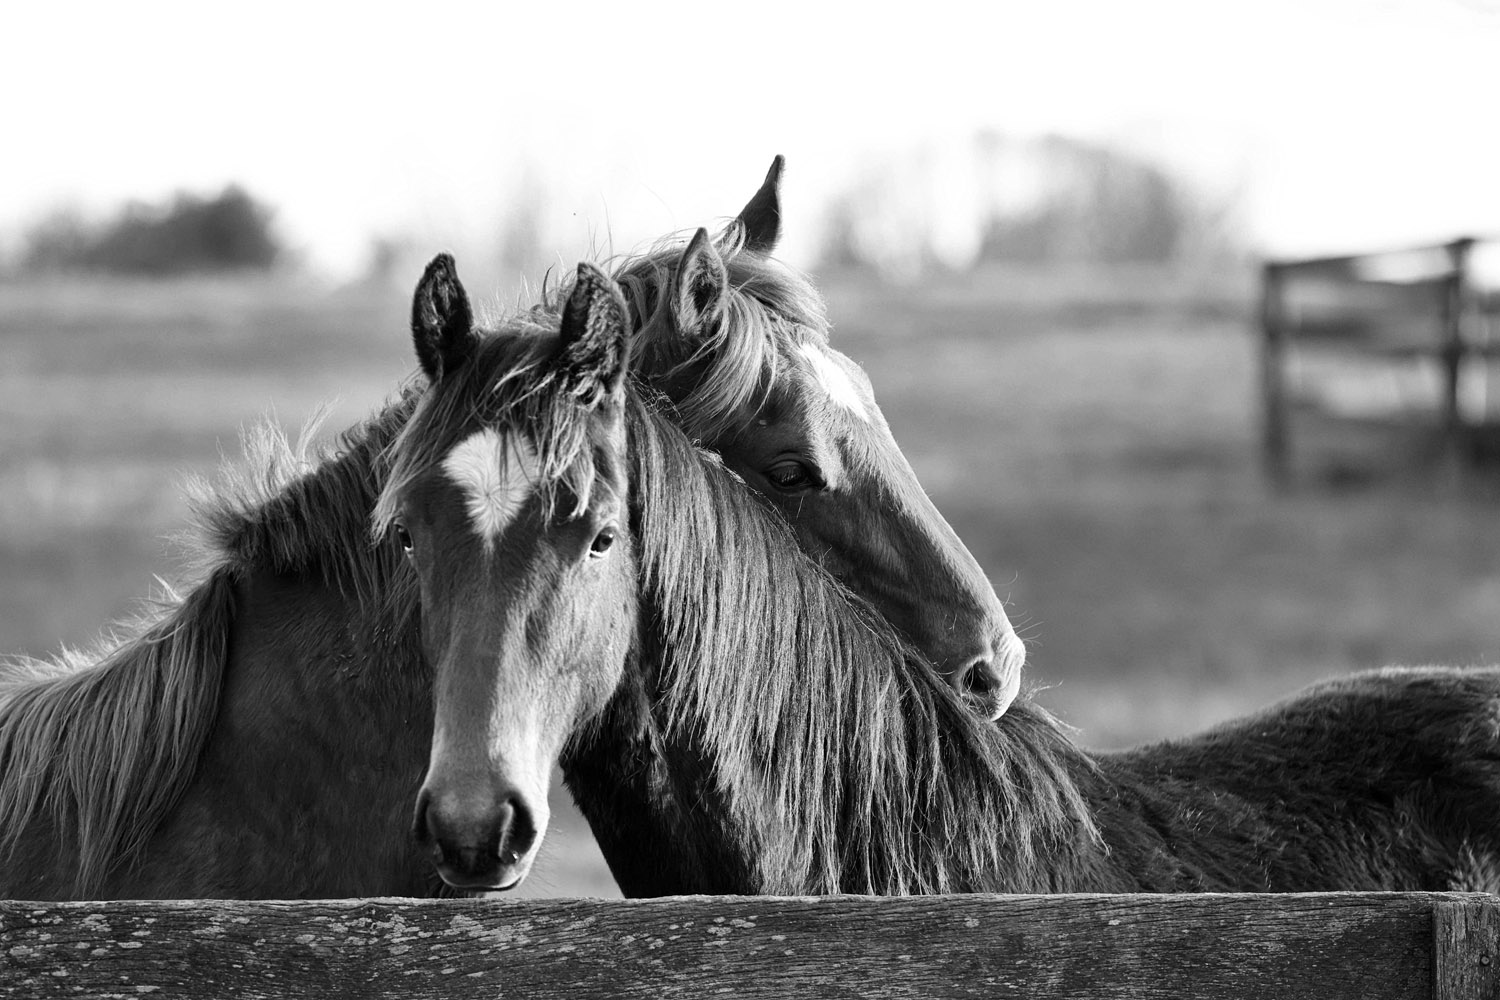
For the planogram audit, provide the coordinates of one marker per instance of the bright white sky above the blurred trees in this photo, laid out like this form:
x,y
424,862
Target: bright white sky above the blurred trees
x,y
1339,125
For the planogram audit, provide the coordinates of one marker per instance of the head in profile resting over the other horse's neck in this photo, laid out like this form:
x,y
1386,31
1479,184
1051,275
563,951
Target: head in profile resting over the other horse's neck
x,y
740,344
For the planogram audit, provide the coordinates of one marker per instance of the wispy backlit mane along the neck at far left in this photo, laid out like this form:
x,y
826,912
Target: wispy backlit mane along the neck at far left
x,y
104,744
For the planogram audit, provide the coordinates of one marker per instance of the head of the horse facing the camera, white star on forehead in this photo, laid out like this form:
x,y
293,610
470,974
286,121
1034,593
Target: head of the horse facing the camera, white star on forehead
x,y
508,493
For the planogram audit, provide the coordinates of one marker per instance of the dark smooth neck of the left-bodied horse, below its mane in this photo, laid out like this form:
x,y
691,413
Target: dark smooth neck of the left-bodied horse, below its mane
x,y
305,788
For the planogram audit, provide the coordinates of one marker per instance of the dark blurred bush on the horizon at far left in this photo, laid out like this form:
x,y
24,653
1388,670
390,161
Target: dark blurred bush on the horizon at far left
x,y
230,232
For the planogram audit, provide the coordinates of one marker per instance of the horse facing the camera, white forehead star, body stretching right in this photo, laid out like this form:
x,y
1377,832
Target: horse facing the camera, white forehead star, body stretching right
x,y
731,719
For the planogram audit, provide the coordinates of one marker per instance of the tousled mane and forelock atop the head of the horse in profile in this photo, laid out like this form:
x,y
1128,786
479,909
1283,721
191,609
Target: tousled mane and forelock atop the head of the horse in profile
x,y
769,311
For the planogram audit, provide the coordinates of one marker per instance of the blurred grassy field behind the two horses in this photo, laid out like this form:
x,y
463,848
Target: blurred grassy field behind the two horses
x,y
1091,440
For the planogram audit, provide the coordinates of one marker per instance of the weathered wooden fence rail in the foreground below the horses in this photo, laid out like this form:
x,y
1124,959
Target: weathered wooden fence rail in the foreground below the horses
x,y
1324,947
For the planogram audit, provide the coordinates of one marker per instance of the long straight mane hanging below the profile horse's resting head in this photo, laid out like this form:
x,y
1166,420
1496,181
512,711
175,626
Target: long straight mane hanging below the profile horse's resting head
x,y
821,725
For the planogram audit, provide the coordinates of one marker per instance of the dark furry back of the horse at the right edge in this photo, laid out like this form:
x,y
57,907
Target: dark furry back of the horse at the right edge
x,y
1381,780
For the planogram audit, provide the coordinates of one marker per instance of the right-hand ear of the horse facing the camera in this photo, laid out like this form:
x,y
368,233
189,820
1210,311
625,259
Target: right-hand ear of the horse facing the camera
x,y
592,341
